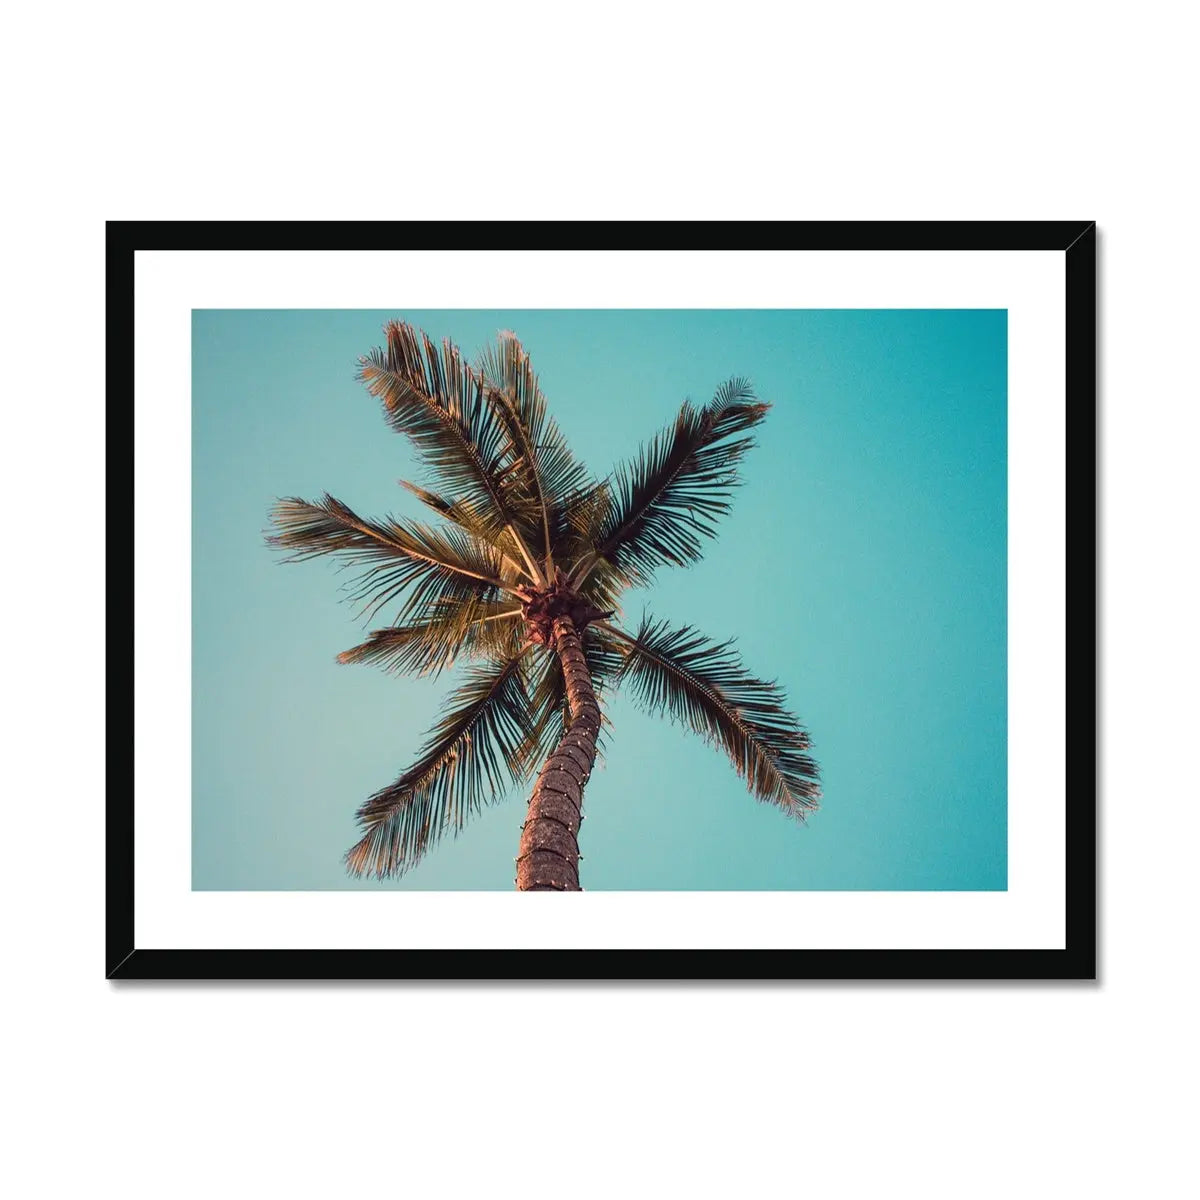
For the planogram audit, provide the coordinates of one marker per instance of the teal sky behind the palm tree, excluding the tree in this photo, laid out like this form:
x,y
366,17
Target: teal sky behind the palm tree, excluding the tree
x,y
863,567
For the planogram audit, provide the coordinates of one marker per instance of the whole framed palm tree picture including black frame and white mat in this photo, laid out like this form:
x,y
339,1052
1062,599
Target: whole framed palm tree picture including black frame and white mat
x,y
747,595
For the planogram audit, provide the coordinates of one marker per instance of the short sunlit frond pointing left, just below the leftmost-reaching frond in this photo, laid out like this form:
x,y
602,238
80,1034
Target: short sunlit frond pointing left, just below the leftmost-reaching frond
x,y
445,634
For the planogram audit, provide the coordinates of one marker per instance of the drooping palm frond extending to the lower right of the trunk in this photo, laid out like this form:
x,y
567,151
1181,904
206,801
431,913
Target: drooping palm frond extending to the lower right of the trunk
x,y
704,686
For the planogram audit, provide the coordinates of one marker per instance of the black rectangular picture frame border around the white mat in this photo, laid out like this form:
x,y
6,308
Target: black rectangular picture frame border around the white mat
x,y
1077,961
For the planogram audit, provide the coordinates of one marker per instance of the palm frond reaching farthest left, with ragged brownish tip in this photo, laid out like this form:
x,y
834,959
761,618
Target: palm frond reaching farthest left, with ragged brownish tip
x,y
394,559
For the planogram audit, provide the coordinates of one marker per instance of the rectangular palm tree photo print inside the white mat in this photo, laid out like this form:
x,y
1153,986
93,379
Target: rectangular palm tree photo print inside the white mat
x,y
583,550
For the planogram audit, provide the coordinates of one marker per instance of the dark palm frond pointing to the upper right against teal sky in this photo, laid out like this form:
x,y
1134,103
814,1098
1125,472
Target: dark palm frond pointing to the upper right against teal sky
x,y
671,495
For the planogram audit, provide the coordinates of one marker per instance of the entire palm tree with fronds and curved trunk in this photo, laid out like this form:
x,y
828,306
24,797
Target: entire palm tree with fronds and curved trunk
x,y
521,578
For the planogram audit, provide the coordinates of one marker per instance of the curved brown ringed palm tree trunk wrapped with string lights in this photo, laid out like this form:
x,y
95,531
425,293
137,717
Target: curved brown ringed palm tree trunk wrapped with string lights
x,y
550,850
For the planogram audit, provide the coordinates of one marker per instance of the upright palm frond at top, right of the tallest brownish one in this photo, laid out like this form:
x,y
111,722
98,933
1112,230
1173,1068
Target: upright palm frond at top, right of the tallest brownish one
x,y
537,449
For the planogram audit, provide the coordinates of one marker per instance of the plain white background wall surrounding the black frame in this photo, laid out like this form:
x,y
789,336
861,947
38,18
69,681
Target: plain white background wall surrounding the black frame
x,y
620,111
